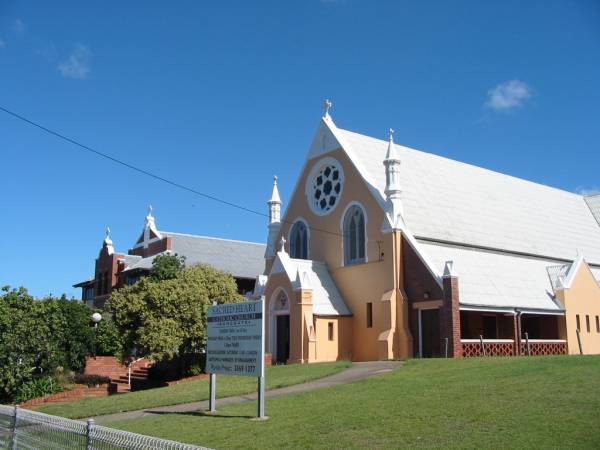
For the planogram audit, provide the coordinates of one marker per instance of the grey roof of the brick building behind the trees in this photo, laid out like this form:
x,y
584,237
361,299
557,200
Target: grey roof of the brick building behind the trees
x,y
240,259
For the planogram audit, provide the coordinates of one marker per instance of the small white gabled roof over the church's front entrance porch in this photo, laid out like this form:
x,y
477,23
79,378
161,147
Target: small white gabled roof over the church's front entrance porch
x,y
307,274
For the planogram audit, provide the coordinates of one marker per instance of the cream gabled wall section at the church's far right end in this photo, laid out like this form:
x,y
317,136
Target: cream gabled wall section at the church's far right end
x,y
583,299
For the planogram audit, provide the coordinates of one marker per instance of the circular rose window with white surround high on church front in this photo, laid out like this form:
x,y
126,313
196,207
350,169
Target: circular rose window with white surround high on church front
x,y
324,186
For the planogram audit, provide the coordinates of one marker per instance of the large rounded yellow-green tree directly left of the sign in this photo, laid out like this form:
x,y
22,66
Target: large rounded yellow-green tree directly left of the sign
x,y
164,318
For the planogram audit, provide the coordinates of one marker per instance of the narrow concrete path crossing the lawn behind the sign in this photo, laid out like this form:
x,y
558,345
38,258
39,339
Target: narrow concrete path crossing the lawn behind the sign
x,y
358,371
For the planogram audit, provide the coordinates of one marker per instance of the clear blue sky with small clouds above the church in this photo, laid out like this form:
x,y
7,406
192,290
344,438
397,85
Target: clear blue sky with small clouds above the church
x,y
222,95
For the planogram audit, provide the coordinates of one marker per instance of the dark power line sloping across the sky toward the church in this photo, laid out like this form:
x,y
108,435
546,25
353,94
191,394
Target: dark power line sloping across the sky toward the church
x,y
145,172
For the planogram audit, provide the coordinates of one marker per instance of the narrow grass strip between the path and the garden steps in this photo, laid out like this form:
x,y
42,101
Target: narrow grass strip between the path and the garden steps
x,y
276,376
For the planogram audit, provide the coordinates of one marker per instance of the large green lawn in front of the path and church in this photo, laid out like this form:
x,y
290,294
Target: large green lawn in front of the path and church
x,y
546,402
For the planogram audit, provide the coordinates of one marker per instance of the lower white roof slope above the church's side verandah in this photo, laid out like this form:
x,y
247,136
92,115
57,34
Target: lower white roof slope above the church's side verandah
x,y
495,279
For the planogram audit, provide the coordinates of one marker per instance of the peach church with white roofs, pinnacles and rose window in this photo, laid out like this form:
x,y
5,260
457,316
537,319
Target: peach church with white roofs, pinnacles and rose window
x,y
387,252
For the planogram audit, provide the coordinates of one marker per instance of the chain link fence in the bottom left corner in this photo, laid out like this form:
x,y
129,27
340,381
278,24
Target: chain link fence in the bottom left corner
x,y
24,429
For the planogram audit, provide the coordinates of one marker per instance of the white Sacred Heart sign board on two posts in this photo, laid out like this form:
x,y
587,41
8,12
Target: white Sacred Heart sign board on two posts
x,y
236,339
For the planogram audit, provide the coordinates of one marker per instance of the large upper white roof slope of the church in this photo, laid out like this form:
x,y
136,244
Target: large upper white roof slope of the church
x,y
451,201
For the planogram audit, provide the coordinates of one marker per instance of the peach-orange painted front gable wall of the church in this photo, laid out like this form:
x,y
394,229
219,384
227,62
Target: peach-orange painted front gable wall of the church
x,y
359,283
